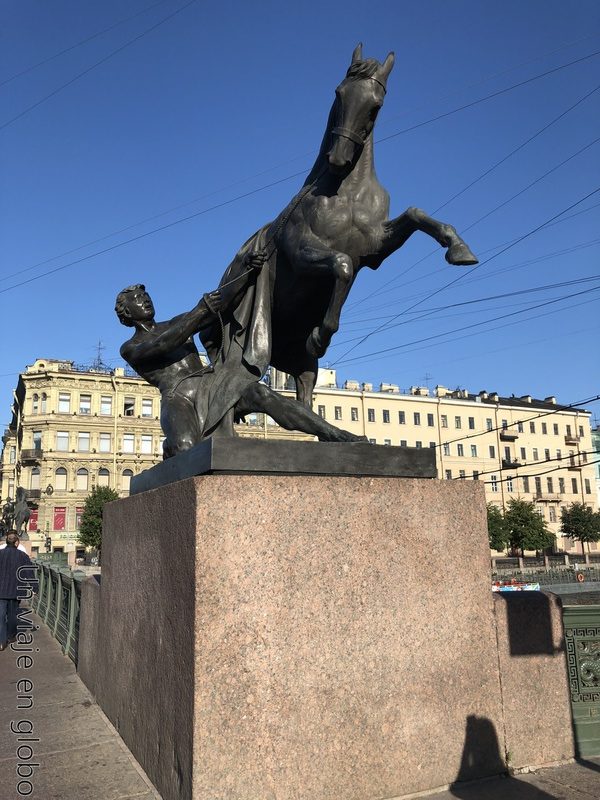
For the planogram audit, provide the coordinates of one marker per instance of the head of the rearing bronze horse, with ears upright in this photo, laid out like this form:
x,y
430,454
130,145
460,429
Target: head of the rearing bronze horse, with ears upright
x,y
358,100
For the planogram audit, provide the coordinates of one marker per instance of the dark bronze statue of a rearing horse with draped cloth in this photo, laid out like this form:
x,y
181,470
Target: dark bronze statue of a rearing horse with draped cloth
x,y
337,224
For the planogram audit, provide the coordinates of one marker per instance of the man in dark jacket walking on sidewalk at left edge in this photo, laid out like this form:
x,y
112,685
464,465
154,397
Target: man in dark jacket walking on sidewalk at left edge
x,y
17,581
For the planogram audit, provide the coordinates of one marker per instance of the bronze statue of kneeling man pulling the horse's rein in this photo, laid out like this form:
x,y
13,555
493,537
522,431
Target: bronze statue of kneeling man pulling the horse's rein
x,y
165,355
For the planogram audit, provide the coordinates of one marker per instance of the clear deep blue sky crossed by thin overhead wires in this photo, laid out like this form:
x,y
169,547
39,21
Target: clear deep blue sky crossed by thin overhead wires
x,y
203,103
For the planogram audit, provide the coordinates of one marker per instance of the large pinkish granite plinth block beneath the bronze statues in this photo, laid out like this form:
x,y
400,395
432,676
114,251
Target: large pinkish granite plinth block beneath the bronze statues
x,y
292,638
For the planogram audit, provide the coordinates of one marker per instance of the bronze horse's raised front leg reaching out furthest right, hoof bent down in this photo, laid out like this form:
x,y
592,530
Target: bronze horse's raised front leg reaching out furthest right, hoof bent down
x,y
397,231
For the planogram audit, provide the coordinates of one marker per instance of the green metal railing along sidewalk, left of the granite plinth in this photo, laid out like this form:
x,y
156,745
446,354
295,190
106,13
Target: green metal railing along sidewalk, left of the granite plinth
x,y
57,604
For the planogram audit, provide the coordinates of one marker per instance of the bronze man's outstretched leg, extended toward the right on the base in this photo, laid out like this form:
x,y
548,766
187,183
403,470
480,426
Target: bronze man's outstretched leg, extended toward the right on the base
x,y
290,414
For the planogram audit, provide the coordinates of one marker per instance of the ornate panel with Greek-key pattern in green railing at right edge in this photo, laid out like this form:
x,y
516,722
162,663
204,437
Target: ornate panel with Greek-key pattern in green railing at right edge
x,y
583,662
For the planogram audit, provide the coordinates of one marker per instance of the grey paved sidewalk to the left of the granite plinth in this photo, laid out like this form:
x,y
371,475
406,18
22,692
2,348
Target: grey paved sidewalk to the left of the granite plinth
x,y
75,754
